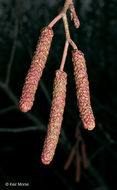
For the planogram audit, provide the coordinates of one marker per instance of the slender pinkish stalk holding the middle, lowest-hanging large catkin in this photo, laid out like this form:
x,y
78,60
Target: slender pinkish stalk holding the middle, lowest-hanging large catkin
x,y
64,55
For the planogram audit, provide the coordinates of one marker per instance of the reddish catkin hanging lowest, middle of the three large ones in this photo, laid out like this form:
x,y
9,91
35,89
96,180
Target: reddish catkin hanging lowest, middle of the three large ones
x,y
56,117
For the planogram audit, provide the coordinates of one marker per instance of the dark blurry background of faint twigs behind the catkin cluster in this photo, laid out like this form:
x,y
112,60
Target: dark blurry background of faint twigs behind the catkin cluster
x,y
22,134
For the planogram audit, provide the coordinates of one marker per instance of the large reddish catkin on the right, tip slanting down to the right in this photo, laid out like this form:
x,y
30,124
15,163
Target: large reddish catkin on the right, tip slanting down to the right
x,y
82,89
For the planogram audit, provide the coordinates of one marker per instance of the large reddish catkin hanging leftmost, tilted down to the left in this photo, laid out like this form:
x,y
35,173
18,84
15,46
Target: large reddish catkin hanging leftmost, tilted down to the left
x,y
36,69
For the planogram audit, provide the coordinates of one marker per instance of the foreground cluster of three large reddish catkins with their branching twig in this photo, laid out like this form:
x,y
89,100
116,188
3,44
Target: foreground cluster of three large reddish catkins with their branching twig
x,y
59,94
